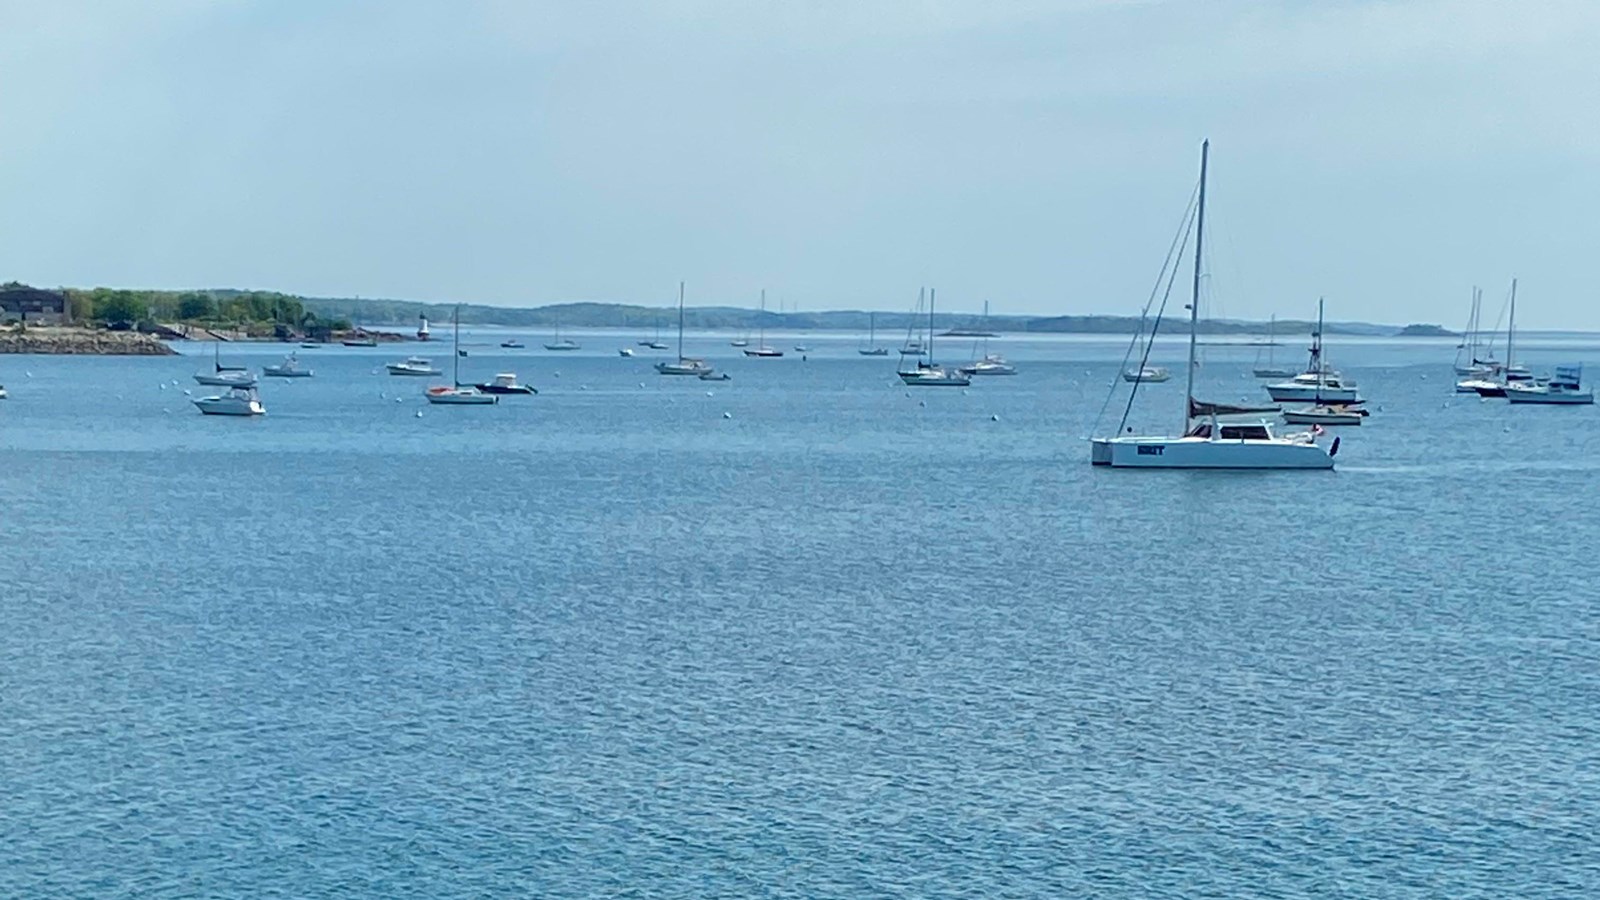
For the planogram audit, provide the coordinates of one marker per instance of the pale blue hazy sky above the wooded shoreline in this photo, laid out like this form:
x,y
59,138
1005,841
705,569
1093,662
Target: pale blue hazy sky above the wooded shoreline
x,y
839,153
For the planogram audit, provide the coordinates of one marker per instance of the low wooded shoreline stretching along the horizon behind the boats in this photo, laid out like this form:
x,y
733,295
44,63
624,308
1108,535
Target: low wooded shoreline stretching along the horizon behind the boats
x,y
257,315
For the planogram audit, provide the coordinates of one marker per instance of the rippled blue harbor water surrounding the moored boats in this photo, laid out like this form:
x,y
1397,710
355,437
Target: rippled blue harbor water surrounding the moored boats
x,y
839,643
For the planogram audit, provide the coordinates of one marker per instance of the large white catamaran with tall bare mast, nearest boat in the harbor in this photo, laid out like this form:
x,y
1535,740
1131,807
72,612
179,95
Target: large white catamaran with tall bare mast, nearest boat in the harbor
x,y
1210,444
